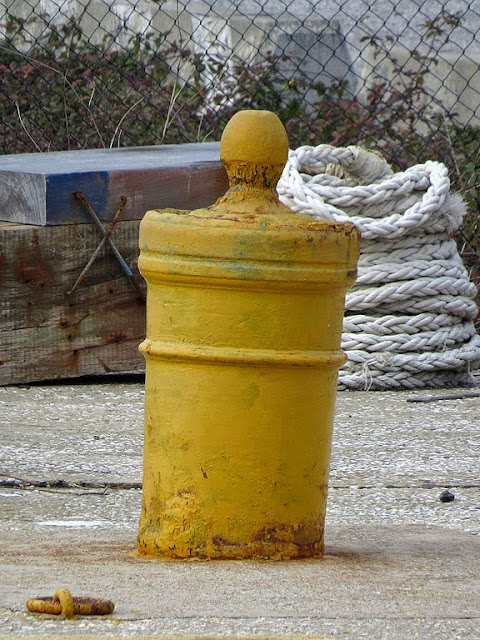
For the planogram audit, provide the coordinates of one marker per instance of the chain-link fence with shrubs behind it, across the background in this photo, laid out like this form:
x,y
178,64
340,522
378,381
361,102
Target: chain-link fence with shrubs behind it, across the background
x,y
401,76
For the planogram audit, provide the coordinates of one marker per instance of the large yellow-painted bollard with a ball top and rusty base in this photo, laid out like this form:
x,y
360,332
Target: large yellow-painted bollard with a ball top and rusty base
x,y
244,316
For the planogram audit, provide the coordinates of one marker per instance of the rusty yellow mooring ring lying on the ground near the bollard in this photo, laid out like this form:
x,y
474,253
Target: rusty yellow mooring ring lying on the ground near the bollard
x,y
64,604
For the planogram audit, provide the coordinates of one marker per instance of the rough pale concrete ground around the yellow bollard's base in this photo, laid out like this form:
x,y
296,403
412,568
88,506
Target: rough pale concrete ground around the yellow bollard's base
x,y
400,563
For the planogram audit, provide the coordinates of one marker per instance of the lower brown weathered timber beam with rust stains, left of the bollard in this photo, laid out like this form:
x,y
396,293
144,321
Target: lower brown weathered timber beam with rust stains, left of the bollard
x,y
45,333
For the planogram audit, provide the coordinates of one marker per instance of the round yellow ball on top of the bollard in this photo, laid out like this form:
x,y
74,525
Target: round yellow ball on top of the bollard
x,y
256,137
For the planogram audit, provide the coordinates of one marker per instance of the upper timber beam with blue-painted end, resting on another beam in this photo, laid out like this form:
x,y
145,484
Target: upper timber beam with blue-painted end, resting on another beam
x,y
38,188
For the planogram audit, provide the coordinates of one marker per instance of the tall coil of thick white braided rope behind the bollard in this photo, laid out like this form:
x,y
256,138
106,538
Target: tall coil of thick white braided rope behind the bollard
x,y
409,317
